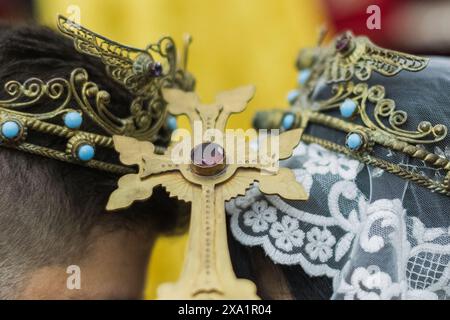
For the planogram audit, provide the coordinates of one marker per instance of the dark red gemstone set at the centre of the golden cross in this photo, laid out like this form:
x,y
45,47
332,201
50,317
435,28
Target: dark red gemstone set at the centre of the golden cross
x,y
208,158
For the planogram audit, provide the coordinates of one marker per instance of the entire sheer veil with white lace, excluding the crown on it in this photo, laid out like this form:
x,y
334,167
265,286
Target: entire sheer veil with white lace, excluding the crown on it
x,y
377,236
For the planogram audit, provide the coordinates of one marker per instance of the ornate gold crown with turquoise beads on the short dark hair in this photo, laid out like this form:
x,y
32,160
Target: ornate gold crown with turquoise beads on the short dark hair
x,y
70,102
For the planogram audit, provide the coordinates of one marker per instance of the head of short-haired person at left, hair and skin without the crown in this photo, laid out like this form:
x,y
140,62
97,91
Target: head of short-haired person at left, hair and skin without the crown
x,y
52,214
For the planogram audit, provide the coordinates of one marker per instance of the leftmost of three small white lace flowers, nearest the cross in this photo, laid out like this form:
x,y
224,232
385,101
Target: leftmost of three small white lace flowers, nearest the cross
x,y
260,216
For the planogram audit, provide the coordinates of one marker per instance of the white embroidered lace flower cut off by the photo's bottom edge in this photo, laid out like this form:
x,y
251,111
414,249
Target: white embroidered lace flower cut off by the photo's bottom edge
x,y
366,285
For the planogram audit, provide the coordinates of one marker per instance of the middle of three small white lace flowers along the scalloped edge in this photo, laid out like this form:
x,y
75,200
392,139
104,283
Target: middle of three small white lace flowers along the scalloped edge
x,y
287,234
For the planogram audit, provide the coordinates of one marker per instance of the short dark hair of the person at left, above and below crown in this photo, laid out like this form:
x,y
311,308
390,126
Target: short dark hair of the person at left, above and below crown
x,y
48,209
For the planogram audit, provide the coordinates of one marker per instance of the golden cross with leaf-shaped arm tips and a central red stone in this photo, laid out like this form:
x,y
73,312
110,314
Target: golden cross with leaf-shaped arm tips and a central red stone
x,y
207,180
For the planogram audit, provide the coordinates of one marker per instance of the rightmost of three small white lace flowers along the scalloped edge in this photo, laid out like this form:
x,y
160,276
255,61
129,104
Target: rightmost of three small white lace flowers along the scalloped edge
x,y
320,244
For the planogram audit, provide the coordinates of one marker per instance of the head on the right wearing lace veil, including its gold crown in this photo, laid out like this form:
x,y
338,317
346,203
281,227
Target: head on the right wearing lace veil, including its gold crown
x,y
357,185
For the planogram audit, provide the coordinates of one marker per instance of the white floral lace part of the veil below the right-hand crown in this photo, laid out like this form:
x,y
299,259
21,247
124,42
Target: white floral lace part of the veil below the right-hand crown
x,y
363,233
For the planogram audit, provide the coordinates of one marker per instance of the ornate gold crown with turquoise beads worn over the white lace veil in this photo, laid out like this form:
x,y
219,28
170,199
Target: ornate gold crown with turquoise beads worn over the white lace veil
x,y
368,116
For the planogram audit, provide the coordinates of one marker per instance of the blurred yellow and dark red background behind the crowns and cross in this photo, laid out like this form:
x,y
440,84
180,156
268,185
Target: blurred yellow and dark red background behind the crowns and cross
x,y
241,42
